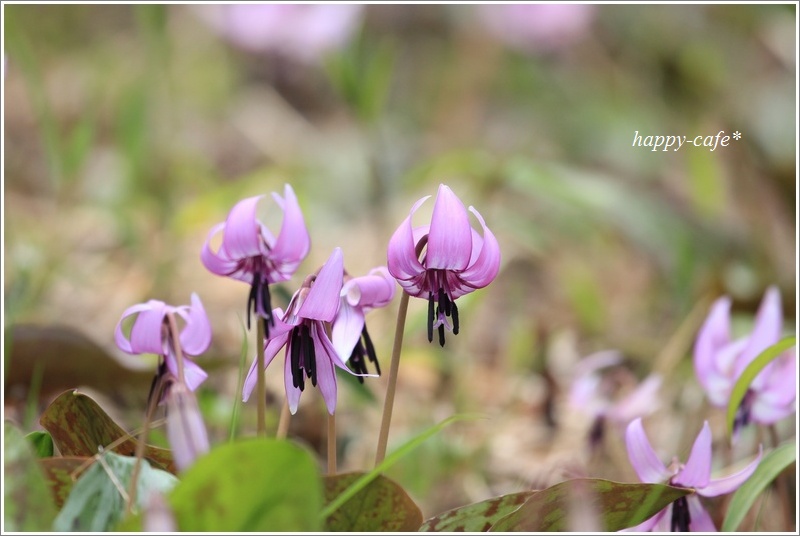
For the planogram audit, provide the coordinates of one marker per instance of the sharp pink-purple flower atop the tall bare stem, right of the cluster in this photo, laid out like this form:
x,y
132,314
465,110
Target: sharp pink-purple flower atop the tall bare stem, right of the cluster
x,y
444,260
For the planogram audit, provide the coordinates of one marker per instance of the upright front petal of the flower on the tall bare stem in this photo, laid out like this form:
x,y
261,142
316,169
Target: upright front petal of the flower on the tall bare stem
x,y
450,239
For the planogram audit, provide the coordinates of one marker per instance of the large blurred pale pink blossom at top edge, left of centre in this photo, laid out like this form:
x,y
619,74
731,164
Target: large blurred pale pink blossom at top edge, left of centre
x,y
301,31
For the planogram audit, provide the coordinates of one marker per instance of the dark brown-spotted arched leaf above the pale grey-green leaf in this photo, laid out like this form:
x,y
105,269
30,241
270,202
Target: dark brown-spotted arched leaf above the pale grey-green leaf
x,y
79,426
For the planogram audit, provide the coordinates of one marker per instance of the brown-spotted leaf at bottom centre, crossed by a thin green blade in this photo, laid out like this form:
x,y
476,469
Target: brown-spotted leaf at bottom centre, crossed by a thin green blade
x,y
381,506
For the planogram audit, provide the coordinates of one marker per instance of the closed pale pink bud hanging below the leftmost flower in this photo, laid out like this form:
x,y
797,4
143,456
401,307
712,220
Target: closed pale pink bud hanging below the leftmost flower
x,y
186,431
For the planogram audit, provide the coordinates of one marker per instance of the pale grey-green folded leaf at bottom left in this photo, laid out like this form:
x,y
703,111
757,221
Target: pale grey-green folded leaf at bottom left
x,y
97,500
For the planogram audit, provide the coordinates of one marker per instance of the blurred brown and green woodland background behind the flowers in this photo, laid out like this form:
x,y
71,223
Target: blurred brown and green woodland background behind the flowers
x,y
129,131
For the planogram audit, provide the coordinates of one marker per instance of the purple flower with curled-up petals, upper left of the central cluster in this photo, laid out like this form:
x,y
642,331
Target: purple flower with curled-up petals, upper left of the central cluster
x,y
250,253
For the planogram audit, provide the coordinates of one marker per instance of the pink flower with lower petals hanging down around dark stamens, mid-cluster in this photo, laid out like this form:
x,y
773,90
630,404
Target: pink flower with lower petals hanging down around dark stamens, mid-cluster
x,y
303,330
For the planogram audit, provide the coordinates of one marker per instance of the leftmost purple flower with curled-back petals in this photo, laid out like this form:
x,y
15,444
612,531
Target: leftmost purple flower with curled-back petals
x,y
151,334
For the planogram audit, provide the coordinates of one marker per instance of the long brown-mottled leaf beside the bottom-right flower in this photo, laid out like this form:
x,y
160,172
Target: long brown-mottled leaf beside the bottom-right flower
x,y
616,506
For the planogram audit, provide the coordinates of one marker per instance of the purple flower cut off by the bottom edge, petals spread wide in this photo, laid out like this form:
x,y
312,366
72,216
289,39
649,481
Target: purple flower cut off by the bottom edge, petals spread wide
x,y
687,513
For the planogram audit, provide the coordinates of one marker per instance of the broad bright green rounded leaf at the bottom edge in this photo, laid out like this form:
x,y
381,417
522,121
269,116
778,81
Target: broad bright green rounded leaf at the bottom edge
x,y
256,485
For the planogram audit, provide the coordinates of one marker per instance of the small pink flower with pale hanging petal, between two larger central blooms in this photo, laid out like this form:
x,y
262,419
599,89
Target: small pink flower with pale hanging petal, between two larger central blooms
x,y
360,295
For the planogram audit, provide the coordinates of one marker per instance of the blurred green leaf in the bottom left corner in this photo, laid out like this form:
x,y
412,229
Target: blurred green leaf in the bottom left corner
x,y
28,505
